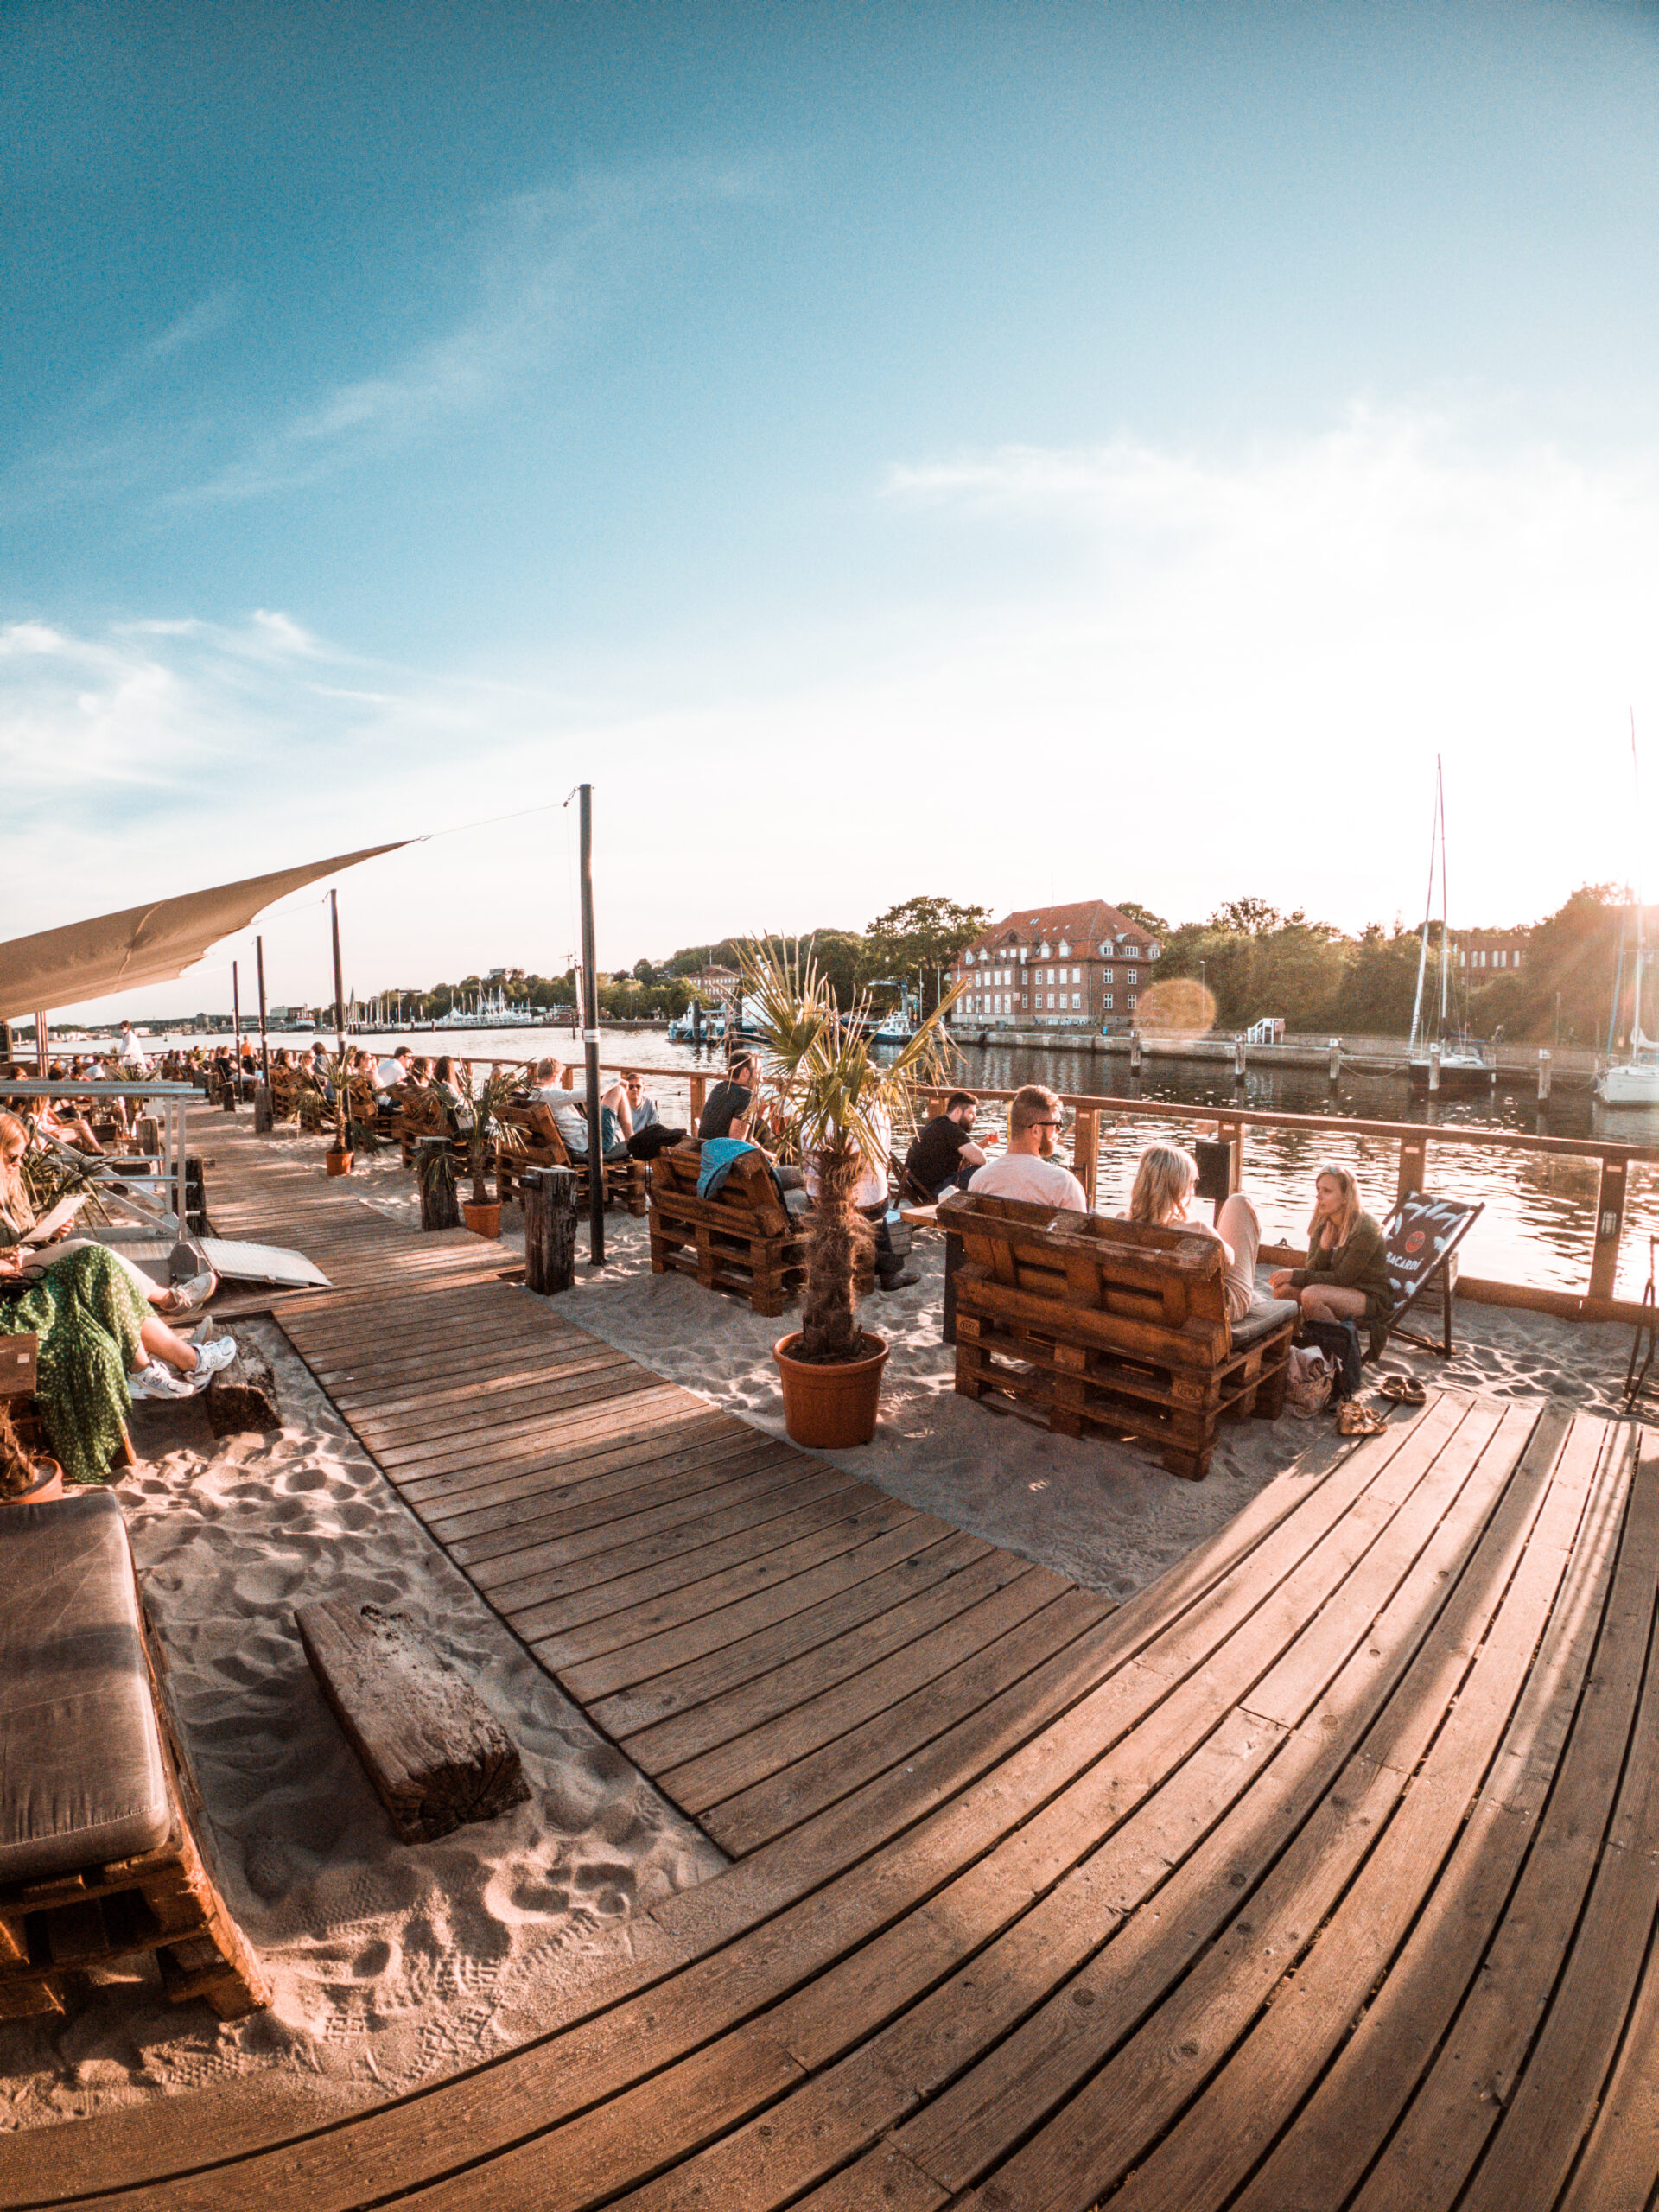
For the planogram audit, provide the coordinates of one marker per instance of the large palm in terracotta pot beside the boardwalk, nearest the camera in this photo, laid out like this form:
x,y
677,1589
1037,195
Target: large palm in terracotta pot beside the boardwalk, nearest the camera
x,y
842,1105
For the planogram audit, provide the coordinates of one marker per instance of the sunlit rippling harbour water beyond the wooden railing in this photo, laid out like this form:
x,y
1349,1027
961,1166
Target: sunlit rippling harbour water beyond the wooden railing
x,y
1538,1220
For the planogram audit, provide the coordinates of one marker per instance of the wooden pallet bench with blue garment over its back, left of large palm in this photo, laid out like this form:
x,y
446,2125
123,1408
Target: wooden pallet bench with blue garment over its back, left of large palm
x,y
742,1242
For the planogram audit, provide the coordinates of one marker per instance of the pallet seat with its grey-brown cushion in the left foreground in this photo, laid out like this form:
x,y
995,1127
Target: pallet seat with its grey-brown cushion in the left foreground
x,y
101,1822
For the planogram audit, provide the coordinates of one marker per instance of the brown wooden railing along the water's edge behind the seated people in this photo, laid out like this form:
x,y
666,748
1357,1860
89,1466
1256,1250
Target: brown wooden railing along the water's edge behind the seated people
x,y
1415,1138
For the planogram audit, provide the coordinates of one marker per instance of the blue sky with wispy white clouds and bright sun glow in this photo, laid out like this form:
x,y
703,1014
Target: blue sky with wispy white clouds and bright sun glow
x,y
1010,452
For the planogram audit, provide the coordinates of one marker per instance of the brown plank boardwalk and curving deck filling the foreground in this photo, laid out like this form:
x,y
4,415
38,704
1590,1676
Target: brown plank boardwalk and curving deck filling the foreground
x,y
1322,1875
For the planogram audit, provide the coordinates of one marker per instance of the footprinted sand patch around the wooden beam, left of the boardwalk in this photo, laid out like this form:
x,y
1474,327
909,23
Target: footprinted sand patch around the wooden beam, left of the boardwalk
x,y
388,1963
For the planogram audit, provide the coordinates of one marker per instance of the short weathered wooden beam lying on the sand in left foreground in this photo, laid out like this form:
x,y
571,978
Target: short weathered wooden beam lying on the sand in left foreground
x,y
435,1753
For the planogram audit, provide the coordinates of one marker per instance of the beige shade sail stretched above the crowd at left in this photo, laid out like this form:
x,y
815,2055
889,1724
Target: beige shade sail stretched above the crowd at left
x,y
118,952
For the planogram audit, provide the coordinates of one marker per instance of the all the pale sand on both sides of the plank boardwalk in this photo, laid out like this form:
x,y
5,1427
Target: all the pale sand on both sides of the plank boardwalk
x,y
395,1965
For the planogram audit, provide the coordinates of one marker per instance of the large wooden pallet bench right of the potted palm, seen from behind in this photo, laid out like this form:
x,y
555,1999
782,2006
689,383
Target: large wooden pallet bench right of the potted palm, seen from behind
x,y
1109,1326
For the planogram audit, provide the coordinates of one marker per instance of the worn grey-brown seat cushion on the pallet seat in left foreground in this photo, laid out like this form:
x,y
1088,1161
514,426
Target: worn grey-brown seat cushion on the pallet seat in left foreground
x,y
81,1755
